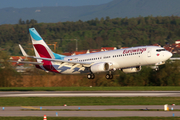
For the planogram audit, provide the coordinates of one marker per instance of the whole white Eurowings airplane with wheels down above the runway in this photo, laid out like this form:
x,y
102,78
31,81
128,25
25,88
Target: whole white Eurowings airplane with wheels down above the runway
x,y
129,60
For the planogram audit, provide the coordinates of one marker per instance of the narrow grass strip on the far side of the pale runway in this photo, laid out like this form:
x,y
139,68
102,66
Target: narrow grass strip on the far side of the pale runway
x,y
127,88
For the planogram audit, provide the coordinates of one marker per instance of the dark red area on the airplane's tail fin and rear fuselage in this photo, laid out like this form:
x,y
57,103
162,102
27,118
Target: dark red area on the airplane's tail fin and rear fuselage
x,y
42,51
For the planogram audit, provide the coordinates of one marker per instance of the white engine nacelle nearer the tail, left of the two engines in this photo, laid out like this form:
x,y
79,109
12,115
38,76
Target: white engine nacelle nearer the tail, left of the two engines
x,y
100,67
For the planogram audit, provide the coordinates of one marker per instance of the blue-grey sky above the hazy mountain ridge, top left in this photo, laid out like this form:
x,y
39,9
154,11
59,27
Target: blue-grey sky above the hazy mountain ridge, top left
x,y
42,3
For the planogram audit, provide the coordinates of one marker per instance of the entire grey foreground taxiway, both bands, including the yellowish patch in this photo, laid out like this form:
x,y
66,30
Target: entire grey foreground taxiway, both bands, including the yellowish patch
x,y
17,111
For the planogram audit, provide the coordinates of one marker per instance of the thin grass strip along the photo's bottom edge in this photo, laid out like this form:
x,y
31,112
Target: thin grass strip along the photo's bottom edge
x,y
90,118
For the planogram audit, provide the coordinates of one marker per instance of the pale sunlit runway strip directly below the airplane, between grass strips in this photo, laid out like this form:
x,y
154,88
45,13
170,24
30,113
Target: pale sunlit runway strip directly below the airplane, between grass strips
x,y
90,94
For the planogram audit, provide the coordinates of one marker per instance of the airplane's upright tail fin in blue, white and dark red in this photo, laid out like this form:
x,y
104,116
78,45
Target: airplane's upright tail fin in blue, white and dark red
x,y
40,47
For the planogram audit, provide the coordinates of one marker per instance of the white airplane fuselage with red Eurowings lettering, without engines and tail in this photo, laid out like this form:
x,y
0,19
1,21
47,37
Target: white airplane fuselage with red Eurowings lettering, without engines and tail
x,y
119,59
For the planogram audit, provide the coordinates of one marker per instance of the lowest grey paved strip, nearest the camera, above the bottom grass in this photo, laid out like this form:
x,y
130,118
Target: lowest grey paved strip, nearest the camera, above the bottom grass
x,y
92,113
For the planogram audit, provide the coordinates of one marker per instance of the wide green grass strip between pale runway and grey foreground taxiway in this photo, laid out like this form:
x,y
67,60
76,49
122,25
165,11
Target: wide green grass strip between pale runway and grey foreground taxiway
x,y
84,101
